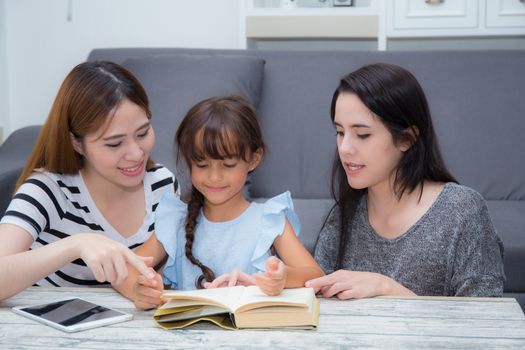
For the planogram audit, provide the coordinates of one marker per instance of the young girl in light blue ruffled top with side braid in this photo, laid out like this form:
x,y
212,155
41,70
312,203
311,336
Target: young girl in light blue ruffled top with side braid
x,y
219,231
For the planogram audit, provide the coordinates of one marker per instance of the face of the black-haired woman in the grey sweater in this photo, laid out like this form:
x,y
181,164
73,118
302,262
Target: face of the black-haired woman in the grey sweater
x,y
366,147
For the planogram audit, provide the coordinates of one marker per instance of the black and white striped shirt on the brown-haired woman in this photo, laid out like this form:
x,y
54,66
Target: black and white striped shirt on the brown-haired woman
x,y
52,206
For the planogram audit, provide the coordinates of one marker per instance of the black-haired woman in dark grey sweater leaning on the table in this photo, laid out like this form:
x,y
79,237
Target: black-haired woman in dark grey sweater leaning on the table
x,y
401,224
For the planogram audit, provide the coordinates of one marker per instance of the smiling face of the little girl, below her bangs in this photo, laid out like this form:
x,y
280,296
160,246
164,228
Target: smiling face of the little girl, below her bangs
x,y
221,181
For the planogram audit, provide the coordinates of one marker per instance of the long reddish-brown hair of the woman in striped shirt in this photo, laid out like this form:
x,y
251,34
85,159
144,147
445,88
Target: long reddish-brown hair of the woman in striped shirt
x,y
84,103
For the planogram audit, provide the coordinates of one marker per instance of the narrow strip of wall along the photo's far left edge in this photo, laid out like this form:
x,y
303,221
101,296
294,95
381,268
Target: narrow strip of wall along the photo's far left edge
x,y
4,106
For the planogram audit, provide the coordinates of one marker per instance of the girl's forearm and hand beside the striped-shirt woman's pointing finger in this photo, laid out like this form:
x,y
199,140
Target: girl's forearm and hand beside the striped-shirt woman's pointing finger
x,y
143,291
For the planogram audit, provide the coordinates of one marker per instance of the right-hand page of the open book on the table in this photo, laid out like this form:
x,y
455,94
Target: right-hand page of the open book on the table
x,y
253,298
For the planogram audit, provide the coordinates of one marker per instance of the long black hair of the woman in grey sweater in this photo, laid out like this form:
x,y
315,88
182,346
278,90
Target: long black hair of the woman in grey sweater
x,y
394,95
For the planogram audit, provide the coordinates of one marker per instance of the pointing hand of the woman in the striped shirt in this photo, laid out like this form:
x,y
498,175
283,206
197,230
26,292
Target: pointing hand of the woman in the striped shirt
x,y
107,258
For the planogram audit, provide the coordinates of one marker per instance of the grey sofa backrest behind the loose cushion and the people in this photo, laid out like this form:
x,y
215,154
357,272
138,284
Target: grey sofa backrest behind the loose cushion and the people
x,y
476,99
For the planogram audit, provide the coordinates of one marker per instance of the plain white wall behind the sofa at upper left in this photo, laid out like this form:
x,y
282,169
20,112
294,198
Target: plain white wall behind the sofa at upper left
x,y
42,45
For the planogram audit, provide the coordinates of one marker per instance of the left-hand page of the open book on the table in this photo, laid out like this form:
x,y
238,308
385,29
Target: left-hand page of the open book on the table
x,y
224,297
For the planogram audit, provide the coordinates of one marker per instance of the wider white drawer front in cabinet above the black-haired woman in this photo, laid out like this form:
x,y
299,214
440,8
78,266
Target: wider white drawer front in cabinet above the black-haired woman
x,y
435,14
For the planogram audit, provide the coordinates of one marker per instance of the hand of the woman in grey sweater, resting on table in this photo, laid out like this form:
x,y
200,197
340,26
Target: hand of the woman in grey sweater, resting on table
x,y
345,284
